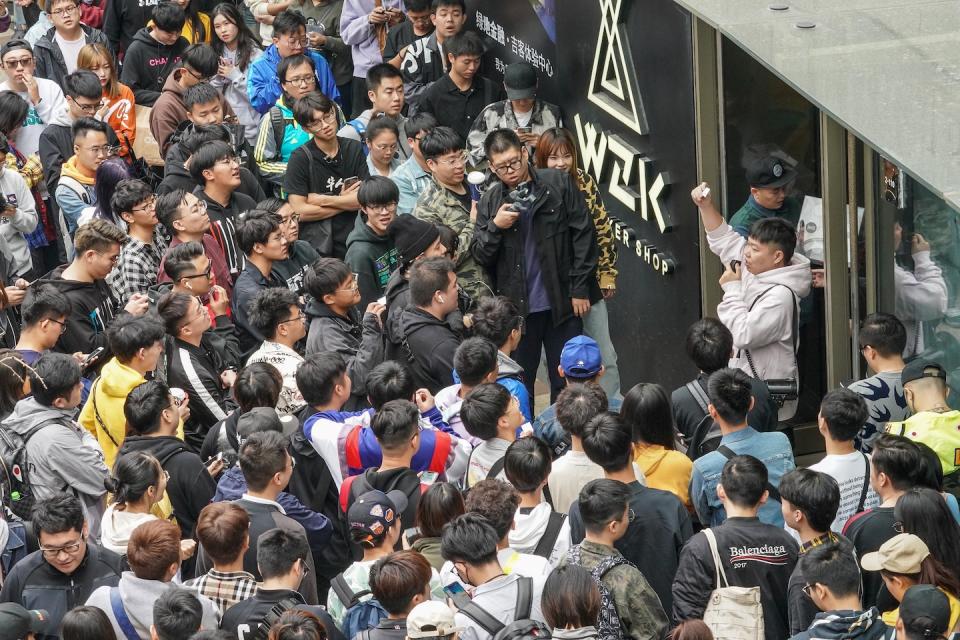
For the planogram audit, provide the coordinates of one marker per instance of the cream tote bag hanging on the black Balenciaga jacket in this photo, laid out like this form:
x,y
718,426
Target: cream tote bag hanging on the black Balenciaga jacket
x,y
732,613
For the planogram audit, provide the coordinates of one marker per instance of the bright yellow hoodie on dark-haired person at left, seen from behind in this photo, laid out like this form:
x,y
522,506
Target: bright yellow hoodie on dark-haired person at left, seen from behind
x,y
107,397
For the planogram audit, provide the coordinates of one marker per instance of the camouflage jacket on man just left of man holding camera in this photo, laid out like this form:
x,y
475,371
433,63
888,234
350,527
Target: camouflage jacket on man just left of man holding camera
x,y
439,206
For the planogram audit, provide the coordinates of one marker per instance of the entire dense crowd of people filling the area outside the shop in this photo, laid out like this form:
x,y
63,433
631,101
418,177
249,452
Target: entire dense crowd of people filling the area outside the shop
x,y
282,384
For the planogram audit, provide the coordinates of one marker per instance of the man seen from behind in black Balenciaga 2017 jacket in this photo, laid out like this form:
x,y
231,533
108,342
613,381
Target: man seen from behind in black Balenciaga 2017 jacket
x,y
754,554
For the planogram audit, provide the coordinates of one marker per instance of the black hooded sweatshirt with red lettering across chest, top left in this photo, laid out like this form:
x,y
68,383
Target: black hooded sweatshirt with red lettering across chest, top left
x,y
148,63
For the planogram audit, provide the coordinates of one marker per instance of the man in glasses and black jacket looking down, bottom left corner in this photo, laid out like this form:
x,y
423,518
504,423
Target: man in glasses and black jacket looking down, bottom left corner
x,y
65,570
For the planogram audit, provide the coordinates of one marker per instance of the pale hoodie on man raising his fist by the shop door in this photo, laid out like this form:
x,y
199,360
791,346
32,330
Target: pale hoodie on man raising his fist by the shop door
x,y
767,329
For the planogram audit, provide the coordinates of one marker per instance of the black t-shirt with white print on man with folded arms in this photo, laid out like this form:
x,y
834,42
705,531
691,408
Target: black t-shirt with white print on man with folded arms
x,y
311,171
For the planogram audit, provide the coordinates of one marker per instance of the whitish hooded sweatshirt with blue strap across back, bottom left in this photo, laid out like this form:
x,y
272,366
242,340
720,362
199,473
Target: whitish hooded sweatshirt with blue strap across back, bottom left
x,y
138,596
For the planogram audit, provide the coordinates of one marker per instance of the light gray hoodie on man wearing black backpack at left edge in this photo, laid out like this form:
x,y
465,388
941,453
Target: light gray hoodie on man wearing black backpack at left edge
x,y
63,456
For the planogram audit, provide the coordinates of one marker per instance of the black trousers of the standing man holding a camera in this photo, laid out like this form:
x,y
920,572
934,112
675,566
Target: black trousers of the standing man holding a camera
x,y
539,332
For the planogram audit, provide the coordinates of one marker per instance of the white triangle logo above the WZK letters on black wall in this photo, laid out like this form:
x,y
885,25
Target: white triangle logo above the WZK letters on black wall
x,y
613,80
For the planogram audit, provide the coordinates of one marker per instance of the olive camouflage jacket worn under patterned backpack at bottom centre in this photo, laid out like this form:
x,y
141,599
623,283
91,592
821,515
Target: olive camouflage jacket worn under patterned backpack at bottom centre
x,y
636,603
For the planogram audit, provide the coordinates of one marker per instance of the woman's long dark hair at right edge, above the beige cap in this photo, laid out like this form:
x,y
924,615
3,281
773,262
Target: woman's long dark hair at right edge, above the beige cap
x,y
924,513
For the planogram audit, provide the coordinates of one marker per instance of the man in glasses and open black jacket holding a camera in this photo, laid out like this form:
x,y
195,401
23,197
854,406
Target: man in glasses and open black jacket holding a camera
x,y
537,239
